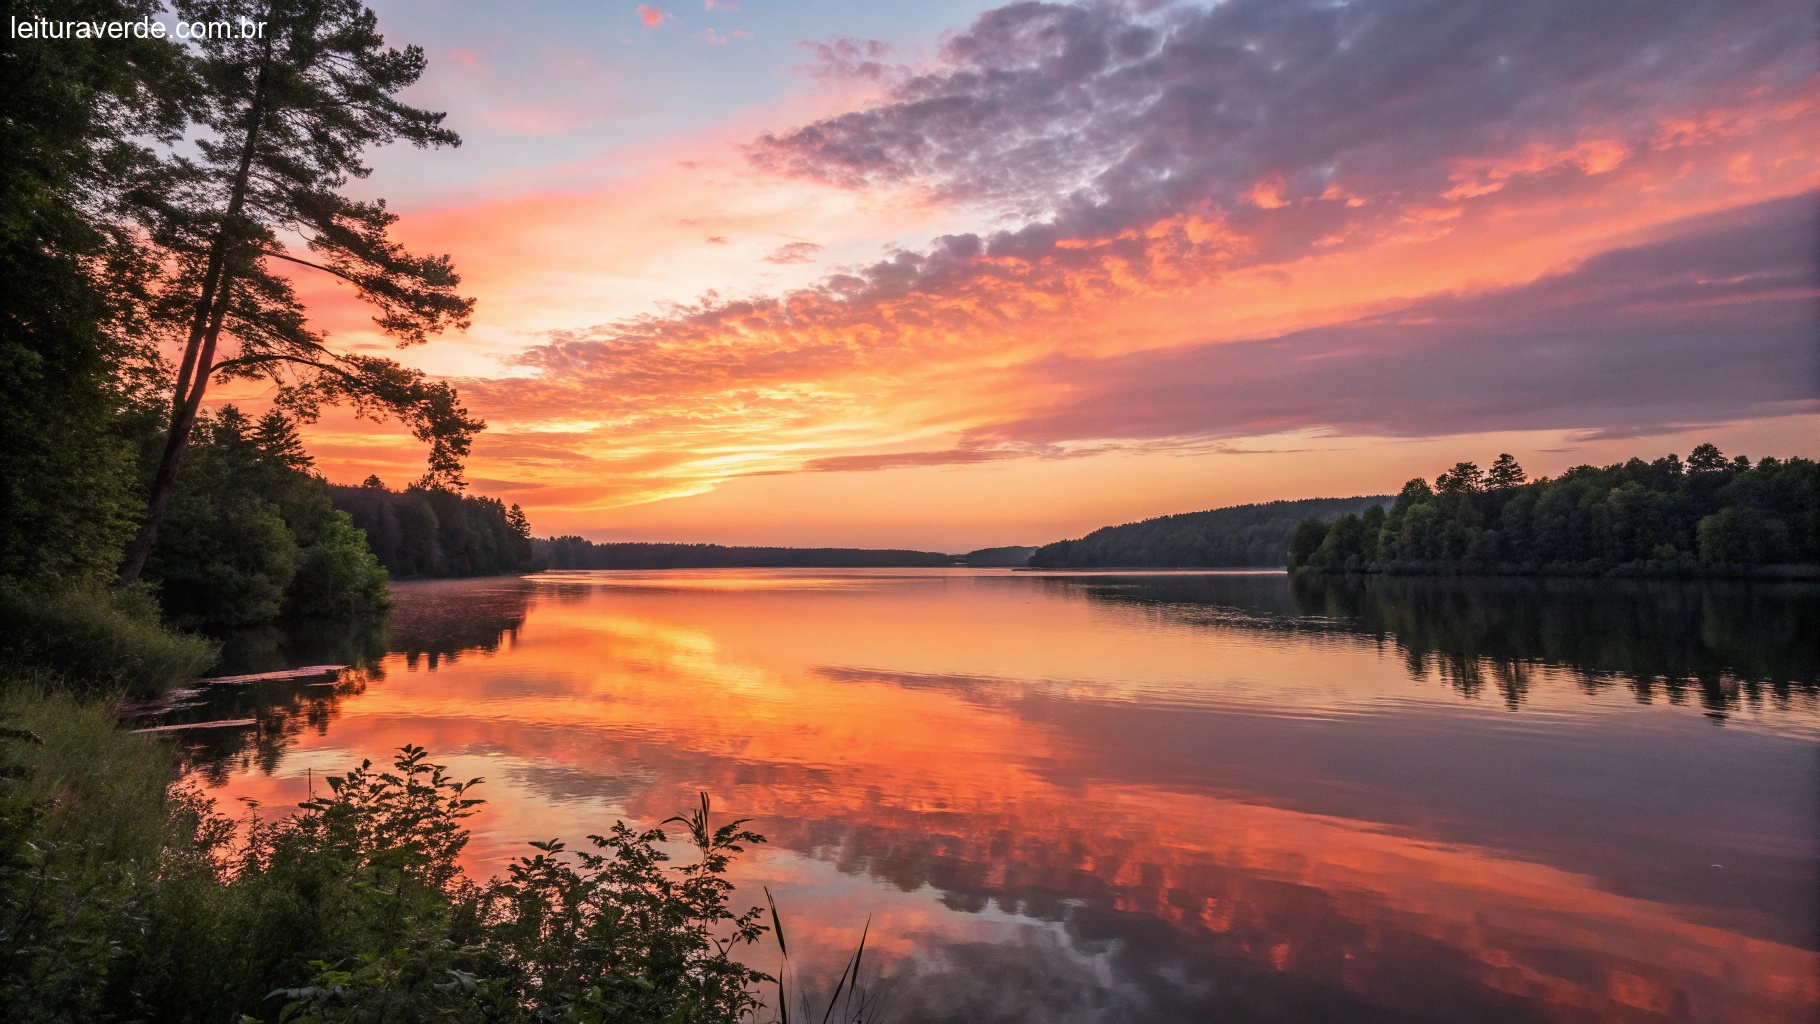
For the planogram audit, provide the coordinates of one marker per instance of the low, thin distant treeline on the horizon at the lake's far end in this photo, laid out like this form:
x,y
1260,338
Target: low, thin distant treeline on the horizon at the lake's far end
x,y
578,554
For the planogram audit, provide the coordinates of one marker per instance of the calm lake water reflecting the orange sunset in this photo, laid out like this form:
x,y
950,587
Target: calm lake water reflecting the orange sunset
x,y
1149,798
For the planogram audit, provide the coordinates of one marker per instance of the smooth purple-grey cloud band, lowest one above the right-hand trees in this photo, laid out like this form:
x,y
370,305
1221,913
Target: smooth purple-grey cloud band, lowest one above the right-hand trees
x,y
1717,323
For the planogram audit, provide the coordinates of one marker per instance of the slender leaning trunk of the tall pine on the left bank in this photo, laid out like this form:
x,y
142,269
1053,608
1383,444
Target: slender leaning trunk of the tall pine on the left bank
x,y
199,350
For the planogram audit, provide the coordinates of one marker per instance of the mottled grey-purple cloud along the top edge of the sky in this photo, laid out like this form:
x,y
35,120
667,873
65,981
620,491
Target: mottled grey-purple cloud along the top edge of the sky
x,y
1102,114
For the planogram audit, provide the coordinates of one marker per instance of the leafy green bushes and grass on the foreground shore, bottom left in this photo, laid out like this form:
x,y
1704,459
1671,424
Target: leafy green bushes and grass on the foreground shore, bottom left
x,y
121,905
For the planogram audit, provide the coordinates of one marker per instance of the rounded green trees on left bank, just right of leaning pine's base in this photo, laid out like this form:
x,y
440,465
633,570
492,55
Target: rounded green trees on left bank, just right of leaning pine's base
x,y
252,534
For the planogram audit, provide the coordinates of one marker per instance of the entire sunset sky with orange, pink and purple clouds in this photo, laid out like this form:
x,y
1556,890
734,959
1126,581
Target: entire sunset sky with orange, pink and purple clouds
x,y
949,276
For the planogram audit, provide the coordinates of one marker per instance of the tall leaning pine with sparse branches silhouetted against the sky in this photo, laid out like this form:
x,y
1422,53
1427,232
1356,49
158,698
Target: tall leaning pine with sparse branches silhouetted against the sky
x,y
288,115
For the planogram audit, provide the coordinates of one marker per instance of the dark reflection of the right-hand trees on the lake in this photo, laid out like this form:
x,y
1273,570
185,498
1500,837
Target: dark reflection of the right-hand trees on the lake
x,y
1721,643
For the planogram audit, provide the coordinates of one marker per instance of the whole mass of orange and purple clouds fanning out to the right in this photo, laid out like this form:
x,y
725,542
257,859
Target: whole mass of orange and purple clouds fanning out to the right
x,y
1340,166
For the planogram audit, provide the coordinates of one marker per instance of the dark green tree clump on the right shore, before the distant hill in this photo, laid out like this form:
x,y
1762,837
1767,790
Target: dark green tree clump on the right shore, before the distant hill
x,y
1704,517
